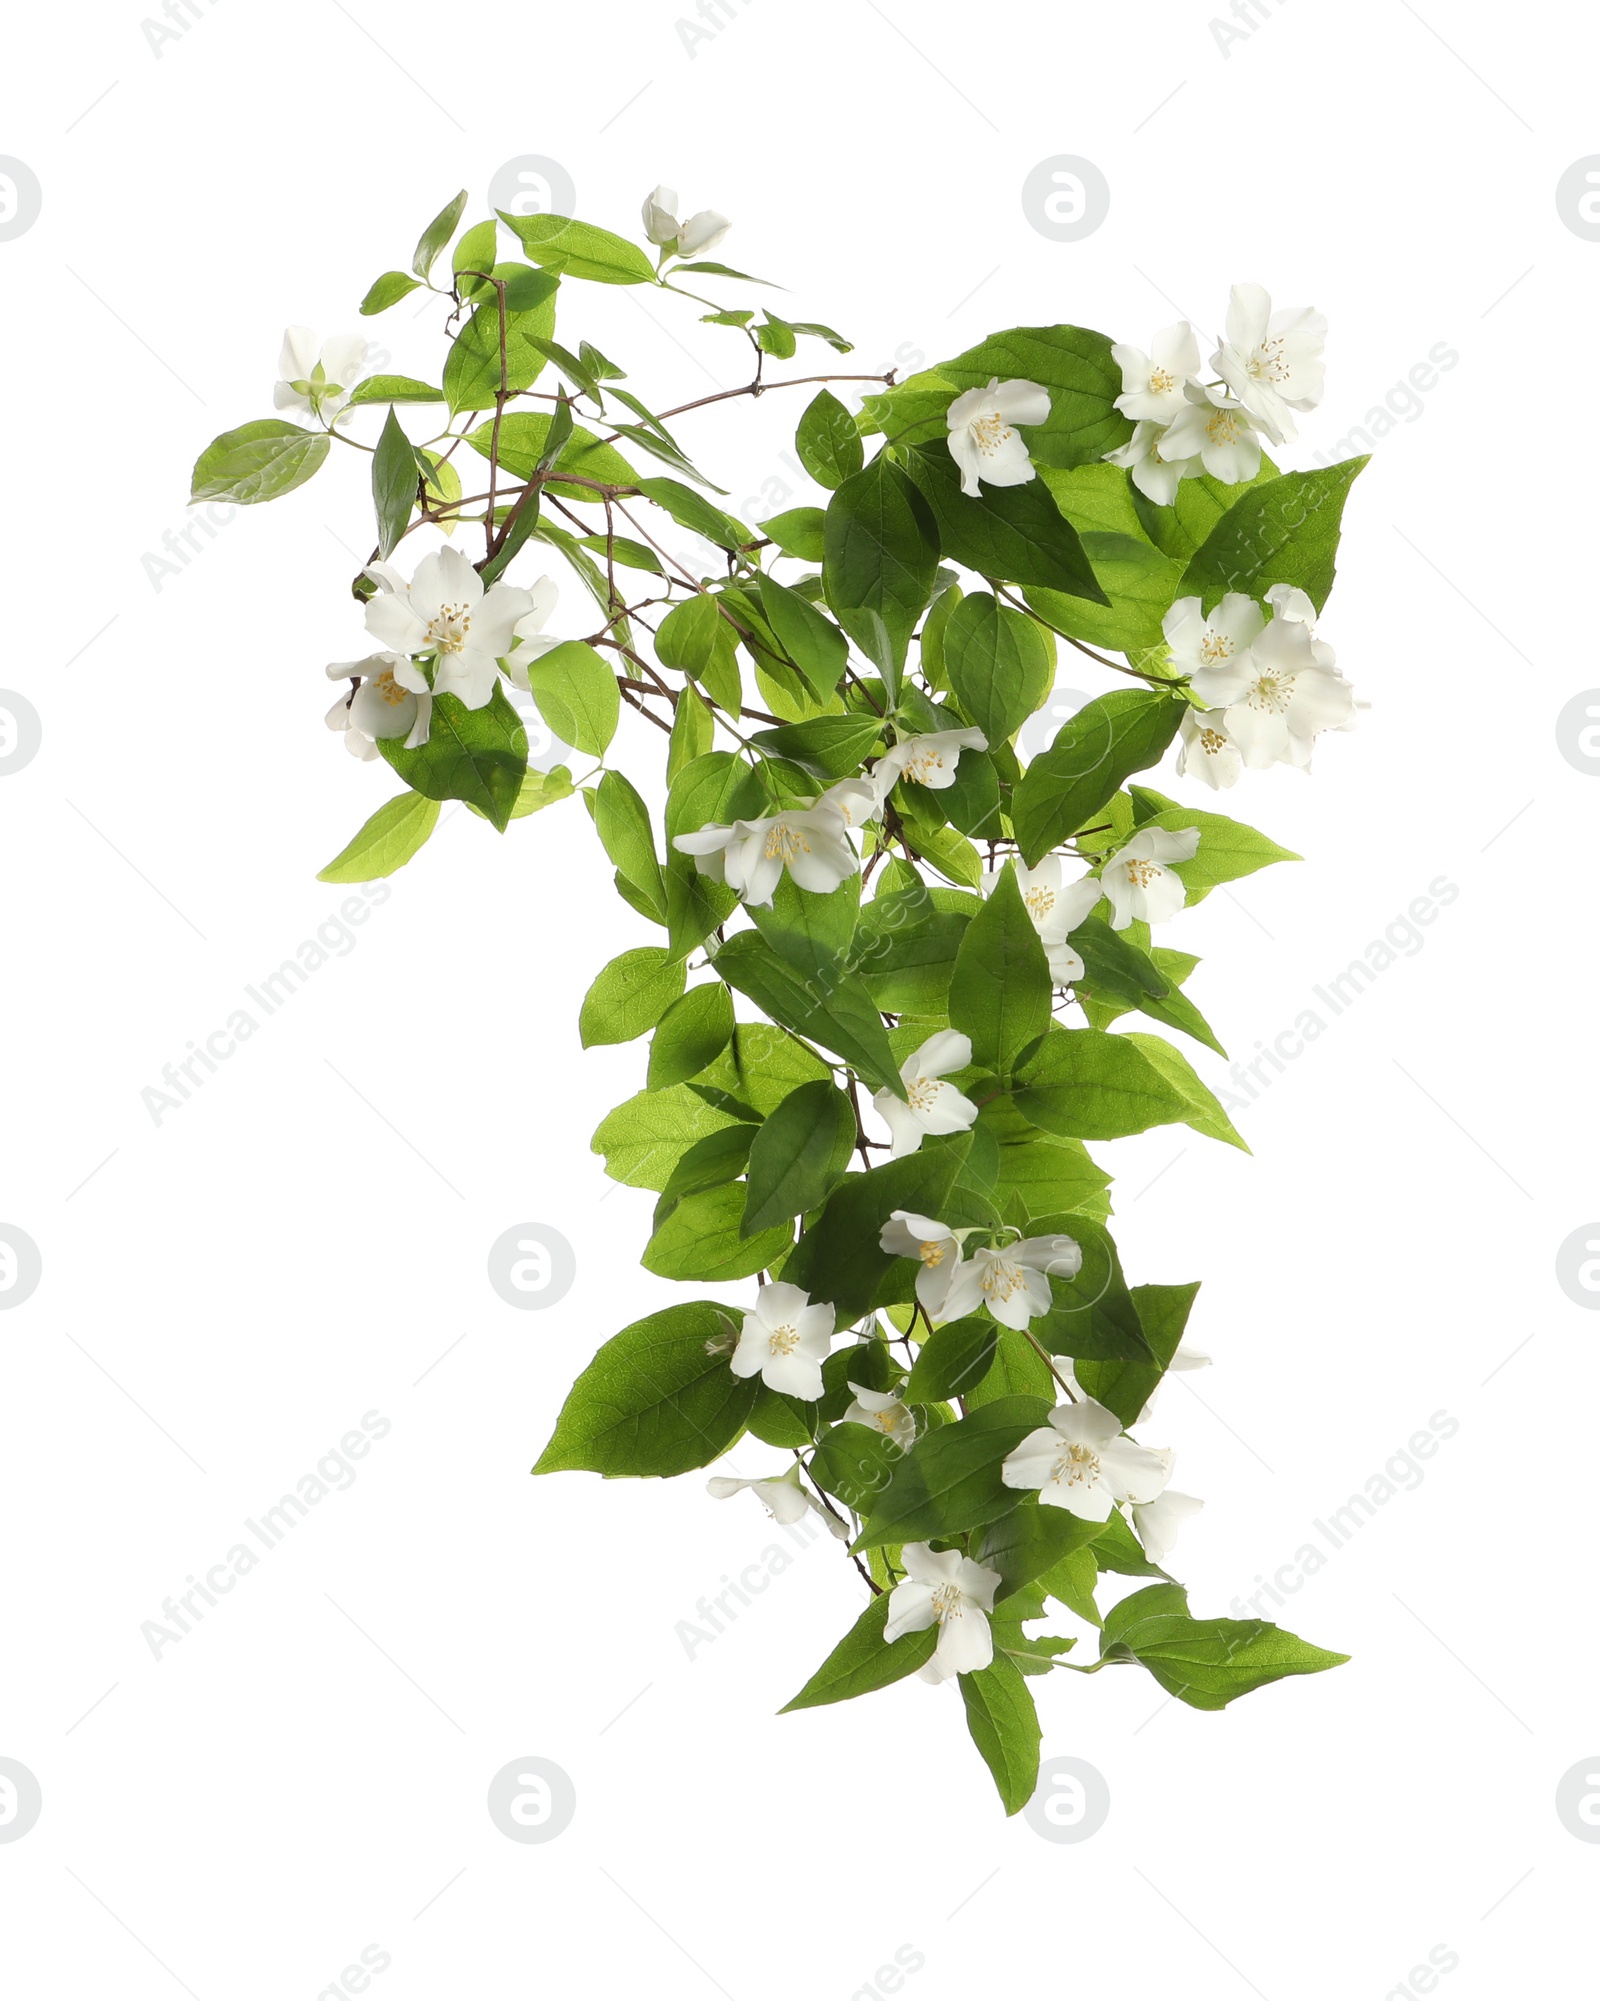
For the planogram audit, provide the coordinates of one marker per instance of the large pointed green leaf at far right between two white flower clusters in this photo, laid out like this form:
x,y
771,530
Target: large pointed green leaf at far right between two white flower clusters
x,y
1277,533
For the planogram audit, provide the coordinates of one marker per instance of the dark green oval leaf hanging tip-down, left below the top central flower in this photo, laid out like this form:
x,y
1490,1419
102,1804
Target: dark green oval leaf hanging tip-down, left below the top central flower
x,y
881,555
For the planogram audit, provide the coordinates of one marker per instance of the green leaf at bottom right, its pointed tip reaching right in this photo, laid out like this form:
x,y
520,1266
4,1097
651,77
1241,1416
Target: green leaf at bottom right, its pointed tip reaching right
x,y
1205,1662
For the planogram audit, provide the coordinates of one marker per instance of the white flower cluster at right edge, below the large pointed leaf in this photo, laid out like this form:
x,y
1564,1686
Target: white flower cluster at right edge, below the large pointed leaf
x,y
1269,683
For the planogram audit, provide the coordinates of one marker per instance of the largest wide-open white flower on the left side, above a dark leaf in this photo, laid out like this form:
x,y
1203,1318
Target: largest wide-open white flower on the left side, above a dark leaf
x,y
445,613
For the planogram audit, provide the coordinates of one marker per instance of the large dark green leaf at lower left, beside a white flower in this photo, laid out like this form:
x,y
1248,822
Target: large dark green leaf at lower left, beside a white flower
x,y
653,1402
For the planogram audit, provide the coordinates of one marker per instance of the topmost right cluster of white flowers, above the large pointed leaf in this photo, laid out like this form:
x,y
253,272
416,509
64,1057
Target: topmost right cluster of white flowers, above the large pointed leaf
x,y
1271,365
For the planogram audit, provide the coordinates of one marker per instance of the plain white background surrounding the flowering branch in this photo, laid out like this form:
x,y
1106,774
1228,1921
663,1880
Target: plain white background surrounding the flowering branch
x,y
303,1242
